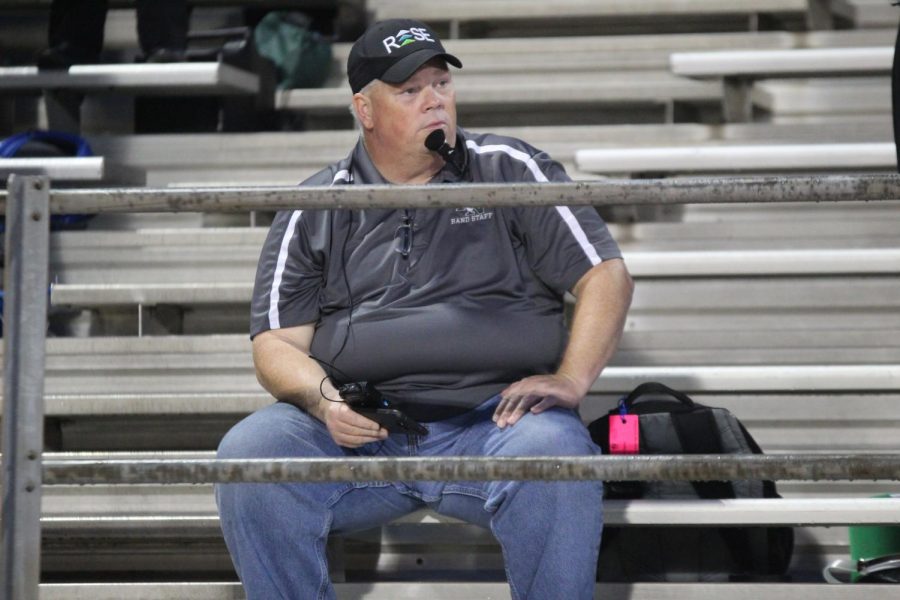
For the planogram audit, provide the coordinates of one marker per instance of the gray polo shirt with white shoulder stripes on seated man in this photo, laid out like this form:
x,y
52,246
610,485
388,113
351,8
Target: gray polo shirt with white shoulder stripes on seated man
x,y
476,304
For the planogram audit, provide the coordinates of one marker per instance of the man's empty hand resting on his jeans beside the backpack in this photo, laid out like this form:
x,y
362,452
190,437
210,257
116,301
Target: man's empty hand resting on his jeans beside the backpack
x,y
536,394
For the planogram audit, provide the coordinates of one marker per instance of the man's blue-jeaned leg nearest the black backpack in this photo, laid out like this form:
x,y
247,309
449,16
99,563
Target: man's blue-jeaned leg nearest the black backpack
x,y
549,531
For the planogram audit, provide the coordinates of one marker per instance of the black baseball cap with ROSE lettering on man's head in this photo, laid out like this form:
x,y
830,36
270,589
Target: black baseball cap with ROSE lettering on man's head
x,y
392,50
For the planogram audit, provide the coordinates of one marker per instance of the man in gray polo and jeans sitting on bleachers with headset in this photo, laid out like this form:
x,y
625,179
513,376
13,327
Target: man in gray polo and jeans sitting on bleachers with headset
x,y
455,316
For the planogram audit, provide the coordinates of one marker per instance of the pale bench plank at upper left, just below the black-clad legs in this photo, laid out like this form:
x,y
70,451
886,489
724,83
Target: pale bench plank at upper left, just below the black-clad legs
x,y
148,78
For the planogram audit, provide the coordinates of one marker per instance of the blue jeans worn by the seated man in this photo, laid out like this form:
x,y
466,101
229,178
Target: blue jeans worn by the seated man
x,y
549,532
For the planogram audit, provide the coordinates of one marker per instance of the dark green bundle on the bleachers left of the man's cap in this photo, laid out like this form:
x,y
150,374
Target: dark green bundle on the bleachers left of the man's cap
x,y
302,57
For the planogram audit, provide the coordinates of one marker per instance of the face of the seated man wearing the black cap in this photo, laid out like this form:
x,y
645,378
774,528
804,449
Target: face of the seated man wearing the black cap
x,y
404,114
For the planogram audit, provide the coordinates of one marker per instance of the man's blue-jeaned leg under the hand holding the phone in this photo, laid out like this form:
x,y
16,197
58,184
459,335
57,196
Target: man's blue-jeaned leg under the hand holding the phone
x,y
276,533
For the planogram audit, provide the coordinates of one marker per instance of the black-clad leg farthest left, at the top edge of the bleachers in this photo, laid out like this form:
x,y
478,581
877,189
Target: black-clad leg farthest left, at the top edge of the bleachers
x,y
74,33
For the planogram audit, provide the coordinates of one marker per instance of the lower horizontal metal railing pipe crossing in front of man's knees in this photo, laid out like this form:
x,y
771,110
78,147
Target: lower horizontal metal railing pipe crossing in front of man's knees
x,y
608,468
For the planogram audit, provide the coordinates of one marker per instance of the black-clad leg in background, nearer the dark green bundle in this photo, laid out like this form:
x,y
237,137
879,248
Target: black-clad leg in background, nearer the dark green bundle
x,y
163,28
